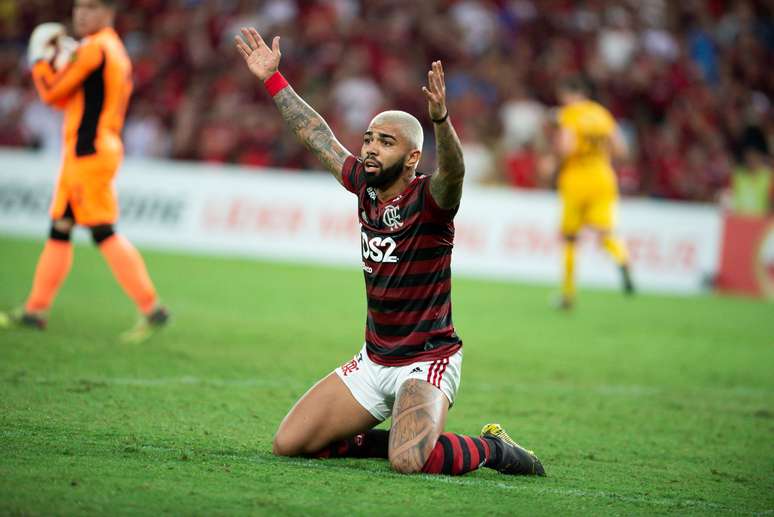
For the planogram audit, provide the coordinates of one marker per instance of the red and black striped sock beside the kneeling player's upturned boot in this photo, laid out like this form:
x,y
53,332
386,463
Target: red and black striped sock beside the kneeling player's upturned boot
x,y
456,454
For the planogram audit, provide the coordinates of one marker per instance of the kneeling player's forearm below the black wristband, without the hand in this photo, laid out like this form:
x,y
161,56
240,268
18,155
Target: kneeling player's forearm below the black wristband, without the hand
x,y
446,184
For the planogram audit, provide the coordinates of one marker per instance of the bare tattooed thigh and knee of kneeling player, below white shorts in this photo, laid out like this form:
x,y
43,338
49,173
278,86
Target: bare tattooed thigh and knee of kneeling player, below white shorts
x,y
417,421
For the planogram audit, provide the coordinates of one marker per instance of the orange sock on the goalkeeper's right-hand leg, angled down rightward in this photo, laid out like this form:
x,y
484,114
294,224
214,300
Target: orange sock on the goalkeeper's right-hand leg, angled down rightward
x,y
129,269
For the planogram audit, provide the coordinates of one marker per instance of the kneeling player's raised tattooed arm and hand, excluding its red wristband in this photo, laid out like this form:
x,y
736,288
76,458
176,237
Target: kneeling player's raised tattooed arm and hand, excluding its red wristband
x,y
306,123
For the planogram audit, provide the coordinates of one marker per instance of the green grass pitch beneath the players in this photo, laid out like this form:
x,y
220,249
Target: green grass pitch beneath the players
x,y
649,405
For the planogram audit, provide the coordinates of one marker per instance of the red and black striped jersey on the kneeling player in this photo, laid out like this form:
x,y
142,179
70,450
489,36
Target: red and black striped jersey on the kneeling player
x,y
406,245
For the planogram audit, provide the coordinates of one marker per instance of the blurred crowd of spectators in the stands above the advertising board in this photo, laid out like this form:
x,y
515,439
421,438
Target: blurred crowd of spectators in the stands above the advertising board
x,y
691,82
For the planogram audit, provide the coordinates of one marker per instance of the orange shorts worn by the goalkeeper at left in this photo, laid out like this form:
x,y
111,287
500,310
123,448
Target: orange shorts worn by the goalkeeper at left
x,y
86,184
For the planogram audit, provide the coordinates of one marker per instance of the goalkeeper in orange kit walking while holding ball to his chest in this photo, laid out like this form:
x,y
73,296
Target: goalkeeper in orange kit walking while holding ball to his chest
x,y
91,81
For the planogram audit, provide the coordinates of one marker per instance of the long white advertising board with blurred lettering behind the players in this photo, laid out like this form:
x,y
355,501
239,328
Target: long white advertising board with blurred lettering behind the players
x,y
289,215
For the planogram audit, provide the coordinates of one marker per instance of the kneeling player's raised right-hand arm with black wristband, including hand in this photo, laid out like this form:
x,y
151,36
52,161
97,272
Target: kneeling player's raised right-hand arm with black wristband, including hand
x,y
446,184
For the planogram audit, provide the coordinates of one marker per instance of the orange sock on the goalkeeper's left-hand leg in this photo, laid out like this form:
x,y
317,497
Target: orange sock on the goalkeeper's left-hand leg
x,y
52,269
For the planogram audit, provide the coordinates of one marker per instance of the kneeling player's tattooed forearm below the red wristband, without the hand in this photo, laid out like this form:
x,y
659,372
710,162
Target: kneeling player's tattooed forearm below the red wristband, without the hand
x,y
312,130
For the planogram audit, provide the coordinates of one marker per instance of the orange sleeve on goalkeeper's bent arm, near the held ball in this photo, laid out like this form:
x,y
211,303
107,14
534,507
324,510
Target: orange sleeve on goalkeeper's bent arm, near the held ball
x,y
54,87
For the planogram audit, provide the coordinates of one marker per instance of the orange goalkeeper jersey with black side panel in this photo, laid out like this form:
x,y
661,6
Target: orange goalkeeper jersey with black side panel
x,y
93,89
